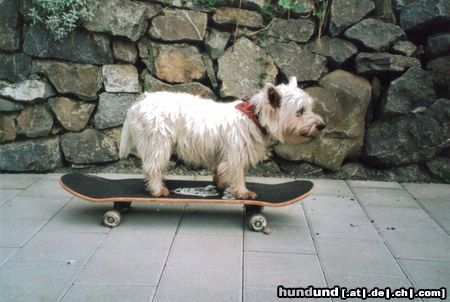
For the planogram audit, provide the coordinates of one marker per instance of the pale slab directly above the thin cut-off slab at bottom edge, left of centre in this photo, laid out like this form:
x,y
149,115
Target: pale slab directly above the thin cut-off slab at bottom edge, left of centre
x,y
122,265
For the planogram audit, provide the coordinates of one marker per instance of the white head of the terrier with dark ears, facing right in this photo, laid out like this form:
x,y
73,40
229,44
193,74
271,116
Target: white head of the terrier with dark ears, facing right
x,y
286,113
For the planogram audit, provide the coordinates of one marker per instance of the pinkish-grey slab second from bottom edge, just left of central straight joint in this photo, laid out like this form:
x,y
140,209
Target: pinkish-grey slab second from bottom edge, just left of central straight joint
x,y
206,251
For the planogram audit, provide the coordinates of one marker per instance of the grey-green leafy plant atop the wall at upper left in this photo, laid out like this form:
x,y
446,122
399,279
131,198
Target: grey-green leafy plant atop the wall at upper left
x,y
60,17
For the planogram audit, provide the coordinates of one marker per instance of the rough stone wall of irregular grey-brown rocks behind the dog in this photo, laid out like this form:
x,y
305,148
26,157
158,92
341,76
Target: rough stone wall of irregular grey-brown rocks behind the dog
x,y
380,73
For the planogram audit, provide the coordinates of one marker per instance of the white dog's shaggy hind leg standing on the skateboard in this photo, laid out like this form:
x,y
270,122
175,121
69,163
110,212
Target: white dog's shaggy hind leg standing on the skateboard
x,y
155,154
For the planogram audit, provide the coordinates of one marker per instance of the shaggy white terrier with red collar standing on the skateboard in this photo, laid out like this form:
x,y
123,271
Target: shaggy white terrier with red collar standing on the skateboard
x,y
226,137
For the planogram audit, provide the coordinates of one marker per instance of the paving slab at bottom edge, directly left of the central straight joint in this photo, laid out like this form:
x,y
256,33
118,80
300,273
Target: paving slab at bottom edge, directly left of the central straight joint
x,y
200,284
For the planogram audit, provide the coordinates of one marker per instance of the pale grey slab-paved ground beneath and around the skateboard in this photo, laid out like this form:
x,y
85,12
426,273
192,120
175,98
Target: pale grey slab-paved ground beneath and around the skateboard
x,y
352,234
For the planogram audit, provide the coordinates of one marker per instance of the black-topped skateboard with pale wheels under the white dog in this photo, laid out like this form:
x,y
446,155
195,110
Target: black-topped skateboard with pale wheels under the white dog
x,y
122,192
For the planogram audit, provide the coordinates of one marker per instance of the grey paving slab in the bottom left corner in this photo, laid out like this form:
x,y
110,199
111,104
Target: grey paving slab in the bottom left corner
x,y
35,282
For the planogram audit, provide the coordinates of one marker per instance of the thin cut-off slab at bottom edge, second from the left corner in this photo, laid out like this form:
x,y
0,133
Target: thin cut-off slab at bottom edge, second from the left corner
x,y
111,293
